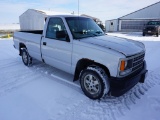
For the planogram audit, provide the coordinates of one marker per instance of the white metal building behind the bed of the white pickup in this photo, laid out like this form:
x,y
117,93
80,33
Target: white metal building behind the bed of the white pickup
x,y
35,19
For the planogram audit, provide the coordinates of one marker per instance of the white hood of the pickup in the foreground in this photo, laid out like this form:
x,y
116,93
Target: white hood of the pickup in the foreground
x,y
121,45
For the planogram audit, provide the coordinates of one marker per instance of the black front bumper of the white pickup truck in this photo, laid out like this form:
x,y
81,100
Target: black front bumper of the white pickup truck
x,y
119,86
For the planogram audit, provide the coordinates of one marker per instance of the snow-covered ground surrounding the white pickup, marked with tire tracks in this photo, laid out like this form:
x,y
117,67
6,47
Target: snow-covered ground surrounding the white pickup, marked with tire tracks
x,y
41,92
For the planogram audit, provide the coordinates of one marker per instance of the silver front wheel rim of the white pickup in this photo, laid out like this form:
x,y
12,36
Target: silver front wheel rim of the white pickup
x,y
92,84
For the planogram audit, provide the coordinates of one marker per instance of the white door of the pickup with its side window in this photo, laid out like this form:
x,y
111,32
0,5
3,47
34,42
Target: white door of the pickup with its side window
x,y
56,51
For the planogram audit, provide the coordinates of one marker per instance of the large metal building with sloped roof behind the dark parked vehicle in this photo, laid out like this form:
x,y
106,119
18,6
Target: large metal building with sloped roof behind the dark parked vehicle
x,y
135,21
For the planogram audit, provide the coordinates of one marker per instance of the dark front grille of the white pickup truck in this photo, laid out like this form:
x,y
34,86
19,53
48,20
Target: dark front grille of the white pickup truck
x,y
138,62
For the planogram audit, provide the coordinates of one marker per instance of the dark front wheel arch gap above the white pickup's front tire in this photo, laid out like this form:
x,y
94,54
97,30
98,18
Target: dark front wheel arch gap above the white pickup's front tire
x,y
84,63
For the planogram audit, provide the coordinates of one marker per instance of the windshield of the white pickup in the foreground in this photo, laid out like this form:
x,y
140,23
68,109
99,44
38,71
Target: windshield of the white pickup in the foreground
x,y
81,27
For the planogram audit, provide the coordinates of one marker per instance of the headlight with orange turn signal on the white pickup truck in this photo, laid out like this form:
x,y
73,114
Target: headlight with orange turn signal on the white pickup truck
x,y
125,66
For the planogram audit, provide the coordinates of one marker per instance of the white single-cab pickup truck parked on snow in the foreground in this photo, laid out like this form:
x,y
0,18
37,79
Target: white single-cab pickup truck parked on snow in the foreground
x,y
103,64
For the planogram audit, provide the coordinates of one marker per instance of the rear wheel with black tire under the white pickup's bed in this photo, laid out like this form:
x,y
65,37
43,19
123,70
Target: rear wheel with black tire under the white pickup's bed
x,y
27,60
